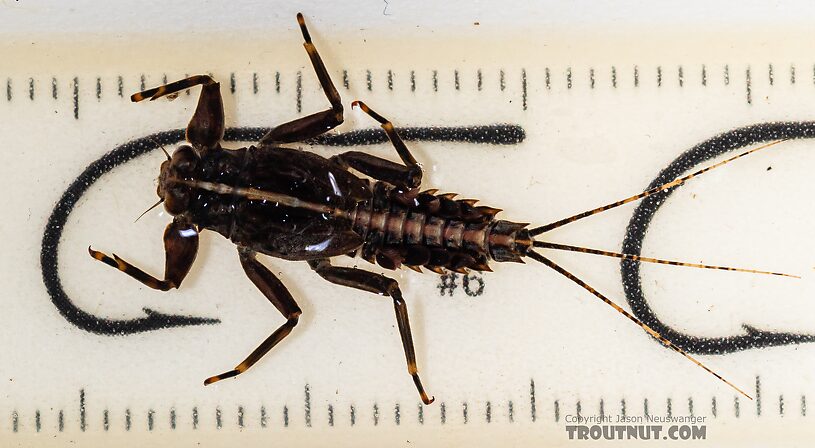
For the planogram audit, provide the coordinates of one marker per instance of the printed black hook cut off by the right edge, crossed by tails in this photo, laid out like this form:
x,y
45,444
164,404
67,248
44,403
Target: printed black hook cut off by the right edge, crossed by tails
x,y
638,225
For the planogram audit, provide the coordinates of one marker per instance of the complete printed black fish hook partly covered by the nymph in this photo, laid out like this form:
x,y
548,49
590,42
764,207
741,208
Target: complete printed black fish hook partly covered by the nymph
x,y
153,320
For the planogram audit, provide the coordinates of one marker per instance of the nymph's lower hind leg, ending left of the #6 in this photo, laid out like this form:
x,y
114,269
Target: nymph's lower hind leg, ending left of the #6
x,y
379,284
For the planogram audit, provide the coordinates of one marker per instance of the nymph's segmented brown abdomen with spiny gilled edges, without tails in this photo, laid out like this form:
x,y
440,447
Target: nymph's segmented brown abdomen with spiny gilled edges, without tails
x,y
434,231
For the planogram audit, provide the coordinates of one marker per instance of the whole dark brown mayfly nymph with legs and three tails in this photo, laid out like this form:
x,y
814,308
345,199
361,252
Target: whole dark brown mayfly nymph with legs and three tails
x,y
296,205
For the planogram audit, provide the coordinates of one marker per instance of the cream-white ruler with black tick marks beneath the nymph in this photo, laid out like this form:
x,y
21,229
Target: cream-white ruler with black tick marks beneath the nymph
x,y
575,121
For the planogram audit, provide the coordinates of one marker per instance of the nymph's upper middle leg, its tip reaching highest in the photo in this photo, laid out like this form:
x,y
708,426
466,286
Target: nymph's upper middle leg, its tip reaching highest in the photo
x,y
312,125
